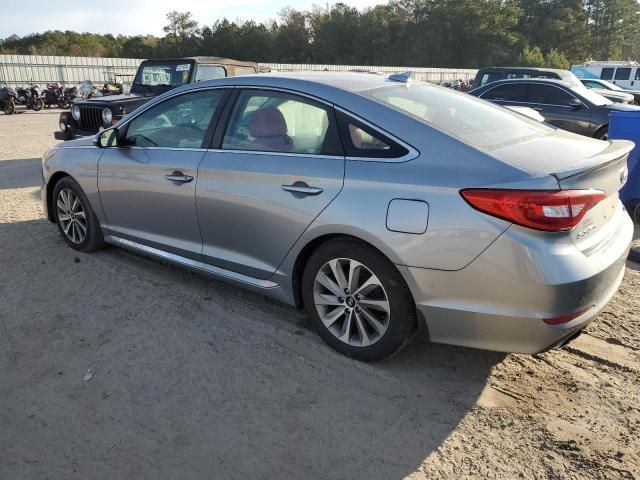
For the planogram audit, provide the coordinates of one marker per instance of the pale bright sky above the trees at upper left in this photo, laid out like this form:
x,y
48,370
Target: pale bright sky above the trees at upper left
x,y
138,17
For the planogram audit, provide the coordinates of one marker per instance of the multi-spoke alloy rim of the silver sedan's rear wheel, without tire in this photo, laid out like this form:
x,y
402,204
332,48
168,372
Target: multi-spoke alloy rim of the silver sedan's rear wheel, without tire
x,y
351,302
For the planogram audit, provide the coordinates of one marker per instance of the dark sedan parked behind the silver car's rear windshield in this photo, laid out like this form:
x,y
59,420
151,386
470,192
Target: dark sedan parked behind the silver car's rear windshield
x,y
573,108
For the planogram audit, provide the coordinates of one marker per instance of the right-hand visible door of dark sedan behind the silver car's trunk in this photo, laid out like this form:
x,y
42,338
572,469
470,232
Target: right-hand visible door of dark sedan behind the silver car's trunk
x,y
553,103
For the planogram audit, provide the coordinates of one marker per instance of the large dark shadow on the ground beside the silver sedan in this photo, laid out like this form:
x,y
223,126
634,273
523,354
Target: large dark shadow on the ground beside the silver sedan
x,y
134,367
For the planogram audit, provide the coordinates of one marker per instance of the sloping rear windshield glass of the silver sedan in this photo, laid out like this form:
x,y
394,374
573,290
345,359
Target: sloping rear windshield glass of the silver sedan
x,y
474,121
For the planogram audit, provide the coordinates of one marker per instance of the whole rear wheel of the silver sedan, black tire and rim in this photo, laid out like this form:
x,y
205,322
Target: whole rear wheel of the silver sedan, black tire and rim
x,y
387,298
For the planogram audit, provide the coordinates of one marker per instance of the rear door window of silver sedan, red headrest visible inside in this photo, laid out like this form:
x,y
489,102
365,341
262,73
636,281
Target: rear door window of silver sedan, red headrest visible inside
x,y
279,122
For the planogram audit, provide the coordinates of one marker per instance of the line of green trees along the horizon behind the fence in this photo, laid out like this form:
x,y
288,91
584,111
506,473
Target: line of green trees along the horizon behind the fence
x,y
430,33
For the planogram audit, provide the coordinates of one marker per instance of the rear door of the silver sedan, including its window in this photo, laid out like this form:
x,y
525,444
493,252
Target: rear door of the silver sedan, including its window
x,y
278,164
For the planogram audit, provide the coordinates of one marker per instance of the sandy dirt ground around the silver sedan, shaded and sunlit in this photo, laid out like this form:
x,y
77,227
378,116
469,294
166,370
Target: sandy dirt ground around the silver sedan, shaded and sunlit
x,y
115,366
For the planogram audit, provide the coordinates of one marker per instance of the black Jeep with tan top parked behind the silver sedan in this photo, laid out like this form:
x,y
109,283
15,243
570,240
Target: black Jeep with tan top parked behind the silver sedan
x,y
153,78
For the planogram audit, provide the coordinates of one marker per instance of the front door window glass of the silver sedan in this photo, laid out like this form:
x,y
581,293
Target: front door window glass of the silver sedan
x,y
179,122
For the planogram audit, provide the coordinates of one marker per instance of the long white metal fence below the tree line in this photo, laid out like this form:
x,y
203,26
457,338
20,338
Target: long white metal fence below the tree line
x,y
18,70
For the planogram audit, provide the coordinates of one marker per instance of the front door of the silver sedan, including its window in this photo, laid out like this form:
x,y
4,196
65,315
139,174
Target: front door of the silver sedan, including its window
x,y
147,183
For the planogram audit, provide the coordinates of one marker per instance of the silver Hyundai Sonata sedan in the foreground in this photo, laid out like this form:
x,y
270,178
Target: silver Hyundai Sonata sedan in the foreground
x,y
376,205
